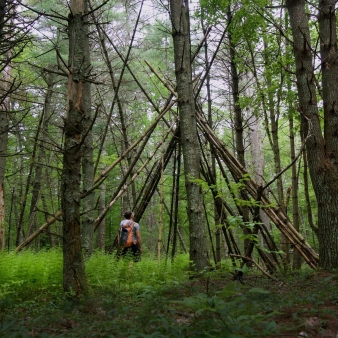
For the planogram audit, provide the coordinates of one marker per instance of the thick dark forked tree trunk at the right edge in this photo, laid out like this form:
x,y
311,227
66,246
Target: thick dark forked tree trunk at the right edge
x,y
322,152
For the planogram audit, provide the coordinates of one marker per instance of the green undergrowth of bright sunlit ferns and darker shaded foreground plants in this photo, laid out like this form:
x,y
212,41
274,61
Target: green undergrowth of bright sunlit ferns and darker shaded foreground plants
x,y
148,299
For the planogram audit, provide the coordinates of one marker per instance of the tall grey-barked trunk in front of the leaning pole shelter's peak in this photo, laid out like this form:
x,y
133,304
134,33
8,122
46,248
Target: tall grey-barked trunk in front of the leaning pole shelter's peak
x,y
190,145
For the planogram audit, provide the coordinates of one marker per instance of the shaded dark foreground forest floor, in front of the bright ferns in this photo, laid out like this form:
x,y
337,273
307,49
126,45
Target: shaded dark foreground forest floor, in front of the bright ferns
x,y
299,304
